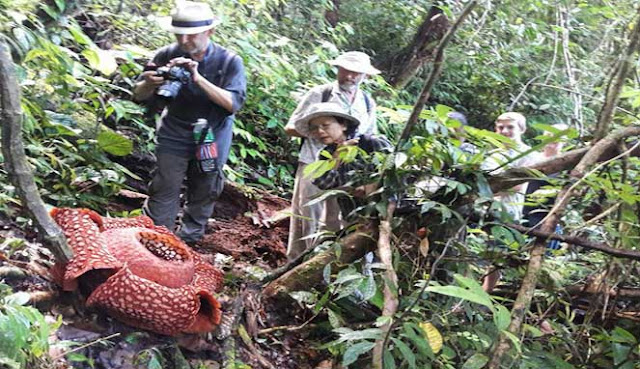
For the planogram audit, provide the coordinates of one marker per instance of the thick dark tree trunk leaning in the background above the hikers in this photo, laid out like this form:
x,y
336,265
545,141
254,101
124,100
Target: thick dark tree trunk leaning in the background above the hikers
x,y
403,66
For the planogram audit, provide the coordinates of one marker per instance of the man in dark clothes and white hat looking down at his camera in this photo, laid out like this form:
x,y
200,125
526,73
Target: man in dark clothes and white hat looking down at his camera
x,y
201,85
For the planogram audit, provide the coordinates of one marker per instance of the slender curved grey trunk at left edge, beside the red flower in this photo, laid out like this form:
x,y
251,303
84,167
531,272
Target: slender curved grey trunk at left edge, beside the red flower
x,y
15,161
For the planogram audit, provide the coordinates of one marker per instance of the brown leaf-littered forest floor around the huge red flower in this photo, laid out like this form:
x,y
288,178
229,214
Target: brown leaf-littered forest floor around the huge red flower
x,y
246,237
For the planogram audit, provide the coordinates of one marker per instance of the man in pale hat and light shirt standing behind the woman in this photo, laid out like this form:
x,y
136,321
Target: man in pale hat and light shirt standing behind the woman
x,y
353,67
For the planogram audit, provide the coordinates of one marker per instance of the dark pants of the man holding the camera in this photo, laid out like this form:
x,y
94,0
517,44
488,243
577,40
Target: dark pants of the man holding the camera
x,y
164,195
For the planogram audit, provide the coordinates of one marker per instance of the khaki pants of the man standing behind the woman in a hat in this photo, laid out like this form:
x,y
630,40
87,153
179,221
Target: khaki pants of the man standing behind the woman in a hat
x,y
307,220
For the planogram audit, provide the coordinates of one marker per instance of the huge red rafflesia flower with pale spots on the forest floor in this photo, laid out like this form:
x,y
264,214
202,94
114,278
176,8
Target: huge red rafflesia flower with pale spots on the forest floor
x,y
146,276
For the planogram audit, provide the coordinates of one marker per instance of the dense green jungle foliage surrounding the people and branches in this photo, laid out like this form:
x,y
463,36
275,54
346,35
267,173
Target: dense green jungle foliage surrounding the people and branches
x,y
554,61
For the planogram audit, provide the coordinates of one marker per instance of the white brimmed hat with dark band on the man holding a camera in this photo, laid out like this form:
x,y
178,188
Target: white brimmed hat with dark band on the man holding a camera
x,y
188,18
